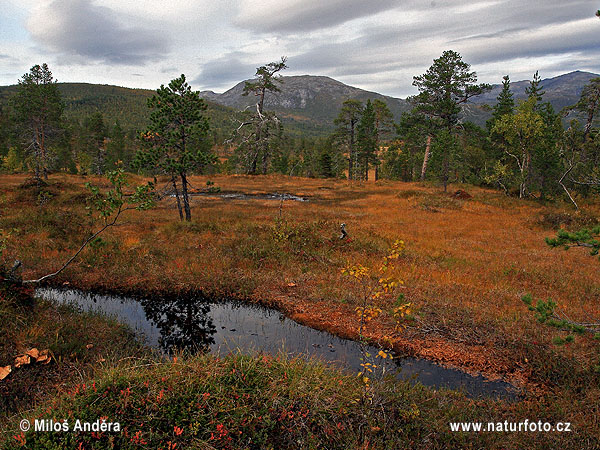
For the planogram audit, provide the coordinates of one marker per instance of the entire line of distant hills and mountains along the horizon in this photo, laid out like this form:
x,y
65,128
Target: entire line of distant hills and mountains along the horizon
x,y
307,104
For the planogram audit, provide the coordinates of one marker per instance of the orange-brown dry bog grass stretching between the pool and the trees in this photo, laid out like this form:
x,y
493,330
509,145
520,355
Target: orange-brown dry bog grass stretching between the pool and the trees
x,y
466,265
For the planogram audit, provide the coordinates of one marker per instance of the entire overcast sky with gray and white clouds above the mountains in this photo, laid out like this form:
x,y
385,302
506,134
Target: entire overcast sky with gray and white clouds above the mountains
x,y
377,45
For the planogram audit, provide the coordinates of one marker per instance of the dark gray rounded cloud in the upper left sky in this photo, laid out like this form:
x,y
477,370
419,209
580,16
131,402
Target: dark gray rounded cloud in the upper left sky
x,y
94,33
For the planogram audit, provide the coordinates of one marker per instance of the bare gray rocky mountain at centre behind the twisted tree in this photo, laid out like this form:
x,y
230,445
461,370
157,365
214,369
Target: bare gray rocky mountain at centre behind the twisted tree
x,y
306,102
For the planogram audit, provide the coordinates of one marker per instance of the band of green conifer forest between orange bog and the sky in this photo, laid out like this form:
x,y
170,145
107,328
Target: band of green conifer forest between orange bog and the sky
x,y
526,148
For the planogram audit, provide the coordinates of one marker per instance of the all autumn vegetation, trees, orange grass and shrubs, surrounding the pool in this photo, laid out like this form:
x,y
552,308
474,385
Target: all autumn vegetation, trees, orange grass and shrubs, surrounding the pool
x,y
448,274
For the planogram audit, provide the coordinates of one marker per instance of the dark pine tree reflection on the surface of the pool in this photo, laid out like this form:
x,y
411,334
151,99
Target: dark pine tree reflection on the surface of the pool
x,y
184,323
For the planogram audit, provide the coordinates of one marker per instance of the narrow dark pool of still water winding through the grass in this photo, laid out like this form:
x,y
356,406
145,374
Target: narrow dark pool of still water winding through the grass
x,y
221,327
